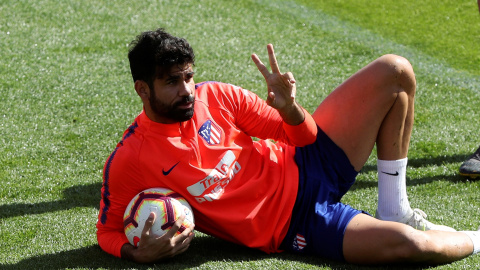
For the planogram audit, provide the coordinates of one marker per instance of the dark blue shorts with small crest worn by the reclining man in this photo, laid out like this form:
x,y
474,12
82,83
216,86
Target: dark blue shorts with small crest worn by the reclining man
x,y
319,219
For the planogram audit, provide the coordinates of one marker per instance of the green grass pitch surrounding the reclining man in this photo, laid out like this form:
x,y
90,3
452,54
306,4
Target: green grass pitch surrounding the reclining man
x,y
67,96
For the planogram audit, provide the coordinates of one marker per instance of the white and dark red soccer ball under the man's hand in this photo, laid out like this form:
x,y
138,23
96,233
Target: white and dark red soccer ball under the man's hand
x,y
168,207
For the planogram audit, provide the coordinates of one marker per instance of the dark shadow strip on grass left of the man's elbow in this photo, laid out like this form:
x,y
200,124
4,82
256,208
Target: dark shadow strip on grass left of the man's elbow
x,y
76,196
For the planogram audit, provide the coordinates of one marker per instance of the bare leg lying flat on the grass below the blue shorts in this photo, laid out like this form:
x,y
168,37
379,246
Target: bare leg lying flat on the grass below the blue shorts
x,y
371,241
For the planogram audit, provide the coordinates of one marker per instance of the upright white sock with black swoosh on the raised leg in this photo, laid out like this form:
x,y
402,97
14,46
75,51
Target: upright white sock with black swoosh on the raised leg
x,y
393,202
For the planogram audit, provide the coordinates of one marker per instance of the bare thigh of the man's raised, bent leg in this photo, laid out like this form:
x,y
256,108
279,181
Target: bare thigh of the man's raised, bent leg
x,y
354,112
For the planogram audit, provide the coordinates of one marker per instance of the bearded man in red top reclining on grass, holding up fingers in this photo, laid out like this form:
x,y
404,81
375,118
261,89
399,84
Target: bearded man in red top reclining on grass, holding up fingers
x,y
196,139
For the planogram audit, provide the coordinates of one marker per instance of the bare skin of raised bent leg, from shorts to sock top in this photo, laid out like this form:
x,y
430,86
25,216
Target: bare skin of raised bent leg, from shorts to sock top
x,y
375,105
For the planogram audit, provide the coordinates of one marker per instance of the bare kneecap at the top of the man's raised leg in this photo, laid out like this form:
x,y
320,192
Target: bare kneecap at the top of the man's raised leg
x,y
399,71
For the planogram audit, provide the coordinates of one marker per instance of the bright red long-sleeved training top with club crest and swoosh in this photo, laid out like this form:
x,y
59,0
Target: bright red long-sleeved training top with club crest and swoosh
x,y
241,190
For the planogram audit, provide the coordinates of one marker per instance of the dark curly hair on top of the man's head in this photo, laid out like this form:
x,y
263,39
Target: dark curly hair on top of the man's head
x,y
153,53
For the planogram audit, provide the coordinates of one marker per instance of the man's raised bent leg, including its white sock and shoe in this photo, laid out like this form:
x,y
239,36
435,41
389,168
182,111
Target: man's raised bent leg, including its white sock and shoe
x,y
376,106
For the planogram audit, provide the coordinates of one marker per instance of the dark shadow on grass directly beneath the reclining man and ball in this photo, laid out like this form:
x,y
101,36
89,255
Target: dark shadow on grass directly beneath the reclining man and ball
x,y
205,252
